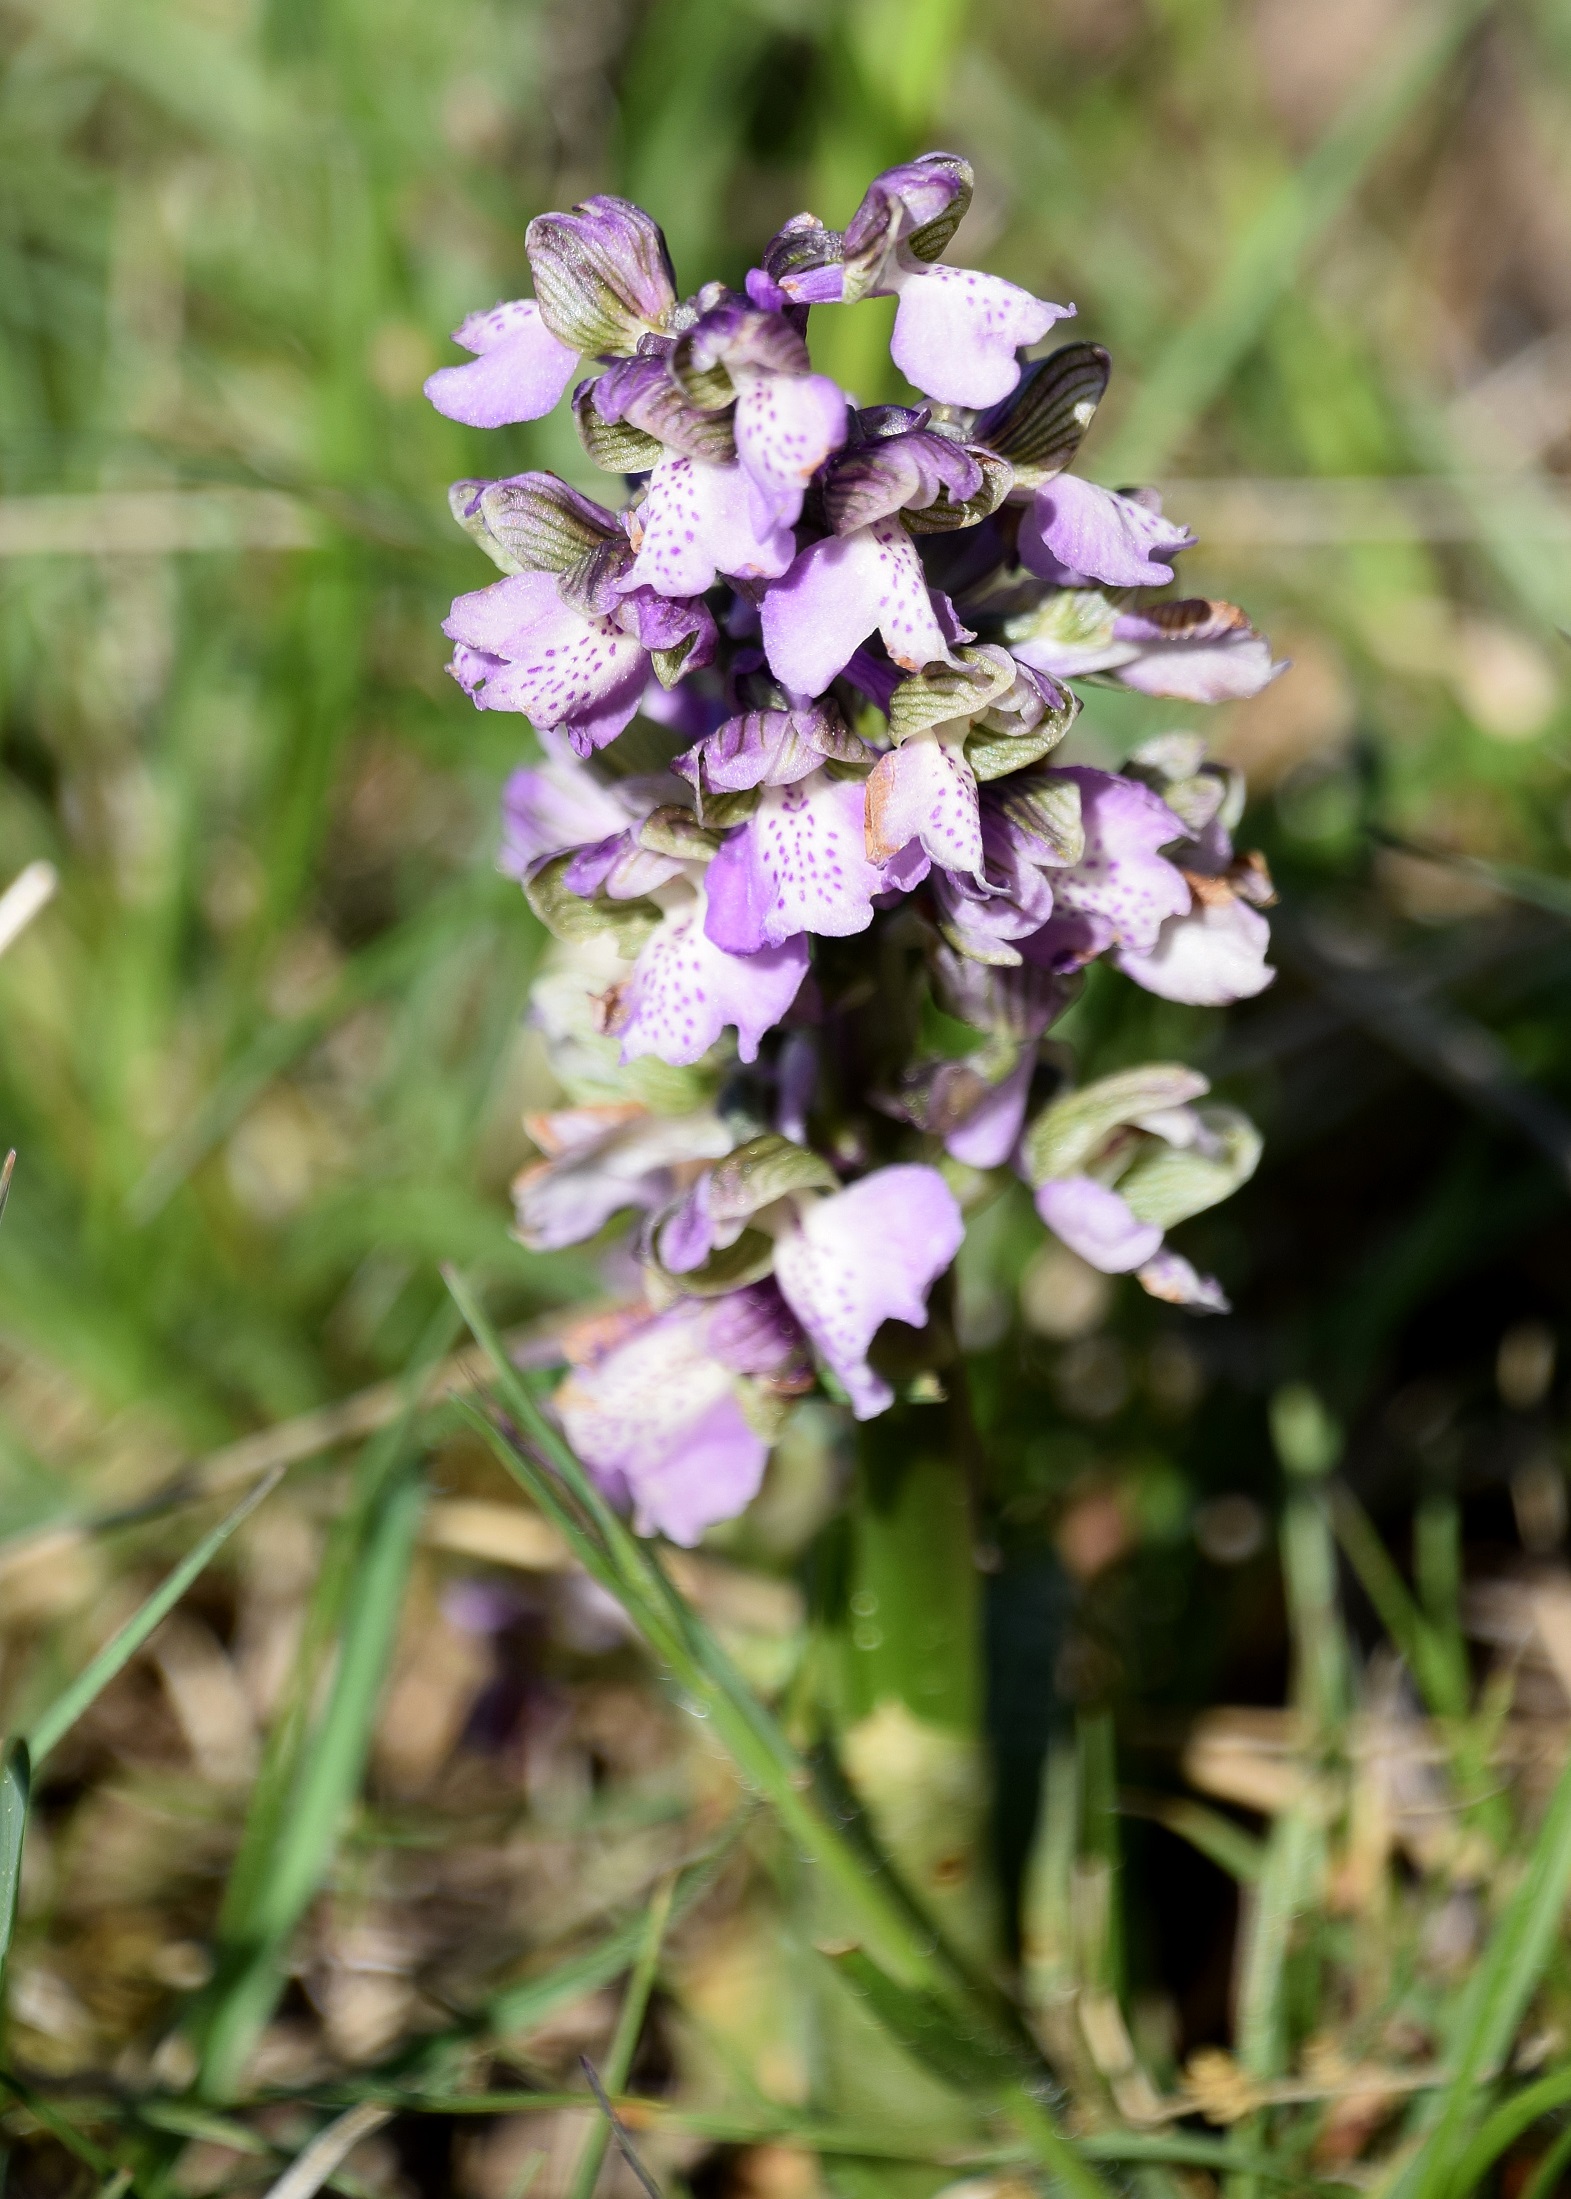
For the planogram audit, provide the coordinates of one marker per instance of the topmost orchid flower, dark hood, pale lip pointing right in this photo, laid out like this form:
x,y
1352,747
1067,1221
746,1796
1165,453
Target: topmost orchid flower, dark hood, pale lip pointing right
x,y
956,331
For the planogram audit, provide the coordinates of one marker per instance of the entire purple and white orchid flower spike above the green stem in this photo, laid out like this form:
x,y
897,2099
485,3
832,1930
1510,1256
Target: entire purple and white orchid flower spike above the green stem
x,y
795,703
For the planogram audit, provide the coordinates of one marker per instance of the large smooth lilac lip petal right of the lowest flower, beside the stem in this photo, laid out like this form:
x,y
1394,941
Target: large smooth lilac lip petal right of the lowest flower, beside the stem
x,y
866,1257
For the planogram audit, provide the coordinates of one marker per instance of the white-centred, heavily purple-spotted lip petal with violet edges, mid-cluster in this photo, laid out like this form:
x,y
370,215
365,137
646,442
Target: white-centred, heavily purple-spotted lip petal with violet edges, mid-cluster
x,y
809,872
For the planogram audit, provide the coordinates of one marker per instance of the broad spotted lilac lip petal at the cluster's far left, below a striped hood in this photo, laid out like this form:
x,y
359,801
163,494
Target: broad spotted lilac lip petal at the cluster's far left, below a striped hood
x,y
551,663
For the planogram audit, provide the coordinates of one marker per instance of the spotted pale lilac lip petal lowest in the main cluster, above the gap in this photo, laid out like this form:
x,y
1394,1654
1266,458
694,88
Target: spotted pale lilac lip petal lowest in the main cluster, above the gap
x,y
685,991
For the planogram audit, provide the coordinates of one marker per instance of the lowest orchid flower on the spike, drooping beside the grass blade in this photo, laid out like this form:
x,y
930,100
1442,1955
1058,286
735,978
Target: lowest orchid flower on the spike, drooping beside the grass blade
x,y
661,1415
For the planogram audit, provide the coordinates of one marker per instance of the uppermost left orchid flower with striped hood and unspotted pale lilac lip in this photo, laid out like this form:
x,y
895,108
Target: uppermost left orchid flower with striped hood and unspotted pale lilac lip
x,y
602,280
